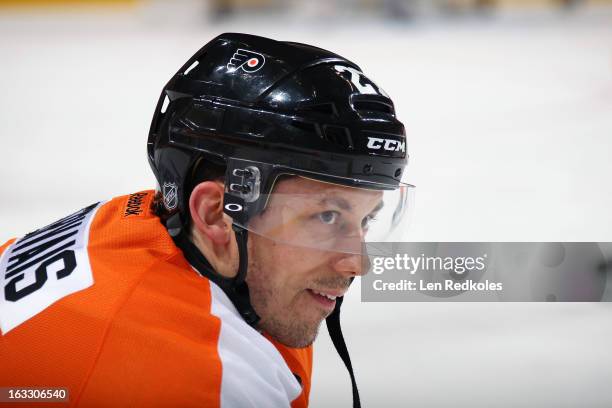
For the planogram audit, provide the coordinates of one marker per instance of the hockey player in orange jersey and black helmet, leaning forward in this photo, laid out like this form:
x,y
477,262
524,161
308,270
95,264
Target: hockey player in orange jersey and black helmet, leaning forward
x,y
158,298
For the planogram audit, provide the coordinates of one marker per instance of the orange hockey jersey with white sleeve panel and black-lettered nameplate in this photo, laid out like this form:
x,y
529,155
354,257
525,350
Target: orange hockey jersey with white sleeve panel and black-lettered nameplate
x,y
104,304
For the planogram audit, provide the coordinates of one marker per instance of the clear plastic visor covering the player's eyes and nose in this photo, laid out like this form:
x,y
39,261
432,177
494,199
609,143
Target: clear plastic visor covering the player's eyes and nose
x,y
309,213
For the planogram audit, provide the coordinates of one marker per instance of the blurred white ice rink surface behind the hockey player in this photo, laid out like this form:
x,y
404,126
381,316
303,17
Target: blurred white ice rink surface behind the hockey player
x,y
508,110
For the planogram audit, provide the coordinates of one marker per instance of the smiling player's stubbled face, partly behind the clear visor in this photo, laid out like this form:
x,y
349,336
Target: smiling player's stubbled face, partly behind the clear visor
x,y
295,265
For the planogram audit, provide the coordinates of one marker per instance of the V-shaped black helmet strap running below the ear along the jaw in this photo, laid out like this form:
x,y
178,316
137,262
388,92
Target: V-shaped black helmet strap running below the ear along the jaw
x,y
235,288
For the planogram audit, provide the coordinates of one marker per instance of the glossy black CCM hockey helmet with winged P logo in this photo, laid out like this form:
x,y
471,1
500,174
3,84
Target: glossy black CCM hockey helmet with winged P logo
x,y
266,108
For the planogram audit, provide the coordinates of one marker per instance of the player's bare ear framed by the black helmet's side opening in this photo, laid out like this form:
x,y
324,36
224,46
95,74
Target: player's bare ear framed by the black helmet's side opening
x,y
206,209
